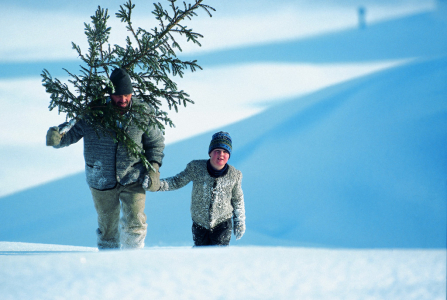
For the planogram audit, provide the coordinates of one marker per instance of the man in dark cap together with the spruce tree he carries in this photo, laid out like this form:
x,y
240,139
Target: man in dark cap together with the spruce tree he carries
x,y
120,114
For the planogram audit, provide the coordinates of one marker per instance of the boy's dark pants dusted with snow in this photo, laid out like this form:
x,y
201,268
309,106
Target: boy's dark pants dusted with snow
x,y
217,236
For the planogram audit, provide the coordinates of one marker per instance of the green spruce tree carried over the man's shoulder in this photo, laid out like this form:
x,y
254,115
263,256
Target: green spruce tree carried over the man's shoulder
x,y
148,56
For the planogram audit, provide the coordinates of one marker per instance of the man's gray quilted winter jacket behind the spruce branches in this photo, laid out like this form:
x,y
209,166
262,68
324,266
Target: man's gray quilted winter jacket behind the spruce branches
x,y
108,163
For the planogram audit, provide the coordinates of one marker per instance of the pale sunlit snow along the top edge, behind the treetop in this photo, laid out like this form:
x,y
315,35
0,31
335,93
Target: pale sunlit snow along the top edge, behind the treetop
x,y
262,22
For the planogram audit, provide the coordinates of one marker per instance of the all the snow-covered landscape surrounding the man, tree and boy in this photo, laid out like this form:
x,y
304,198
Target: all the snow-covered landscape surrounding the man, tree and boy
x,y
340,134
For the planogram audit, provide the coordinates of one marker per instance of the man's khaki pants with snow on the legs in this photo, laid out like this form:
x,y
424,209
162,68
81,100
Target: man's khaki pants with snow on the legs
x,y
133,227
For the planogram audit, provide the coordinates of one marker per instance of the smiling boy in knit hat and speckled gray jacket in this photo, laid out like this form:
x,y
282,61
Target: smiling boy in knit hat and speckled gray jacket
x,y
217,200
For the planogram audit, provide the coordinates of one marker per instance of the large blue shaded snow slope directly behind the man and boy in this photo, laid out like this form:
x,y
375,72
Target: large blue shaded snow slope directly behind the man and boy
x,y
361,164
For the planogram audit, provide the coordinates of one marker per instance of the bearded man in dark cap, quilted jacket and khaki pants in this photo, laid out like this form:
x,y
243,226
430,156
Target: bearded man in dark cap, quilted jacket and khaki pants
x,y
114,175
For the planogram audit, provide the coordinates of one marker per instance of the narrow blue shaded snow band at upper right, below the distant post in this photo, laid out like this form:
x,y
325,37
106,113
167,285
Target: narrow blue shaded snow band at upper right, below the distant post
x,y
411,36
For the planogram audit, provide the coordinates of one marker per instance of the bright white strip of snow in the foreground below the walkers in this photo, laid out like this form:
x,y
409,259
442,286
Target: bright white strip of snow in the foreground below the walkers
x,y
224,273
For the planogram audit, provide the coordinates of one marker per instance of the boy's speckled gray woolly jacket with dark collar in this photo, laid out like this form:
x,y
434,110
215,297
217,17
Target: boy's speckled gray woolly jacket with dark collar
x,y
213,200
